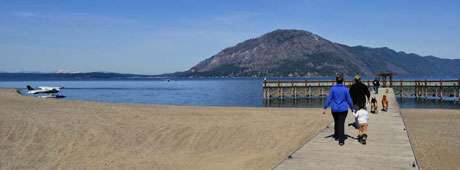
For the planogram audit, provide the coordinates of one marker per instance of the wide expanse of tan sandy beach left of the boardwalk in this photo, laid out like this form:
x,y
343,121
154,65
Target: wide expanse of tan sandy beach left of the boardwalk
x,y
58,134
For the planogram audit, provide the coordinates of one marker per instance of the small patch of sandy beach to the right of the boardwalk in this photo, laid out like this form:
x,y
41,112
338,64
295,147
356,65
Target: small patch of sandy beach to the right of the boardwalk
x,y
435,137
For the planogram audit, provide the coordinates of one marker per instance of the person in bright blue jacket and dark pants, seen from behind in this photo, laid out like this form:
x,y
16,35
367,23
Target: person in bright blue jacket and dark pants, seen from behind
x,y
339,100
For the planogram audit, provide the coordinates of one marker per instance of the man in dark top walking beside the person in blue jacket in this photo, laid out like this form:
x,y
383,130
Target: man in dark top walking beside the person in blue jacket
x,y
359,92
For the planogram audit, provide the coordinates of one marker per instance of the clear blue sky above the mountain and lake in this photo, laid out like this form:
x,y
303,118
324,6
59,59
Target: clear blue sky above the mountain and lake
x,y
153,37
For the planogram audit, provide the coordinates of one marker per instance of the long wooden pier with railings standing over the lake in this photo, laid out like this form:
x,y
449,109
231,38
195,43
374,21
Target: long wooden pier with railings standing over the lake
x,y
293,89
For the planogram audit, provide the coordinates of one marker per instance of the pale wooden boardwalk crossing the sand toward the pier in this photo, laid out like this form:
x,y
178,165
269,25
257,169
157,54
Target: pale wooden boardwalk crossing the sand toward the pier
x,y
388,145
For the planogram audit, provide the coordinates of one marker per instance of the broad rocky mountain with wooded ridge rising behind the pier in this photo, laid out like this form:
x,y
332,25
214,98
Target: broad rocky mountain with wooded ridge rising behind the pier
x,y
302,53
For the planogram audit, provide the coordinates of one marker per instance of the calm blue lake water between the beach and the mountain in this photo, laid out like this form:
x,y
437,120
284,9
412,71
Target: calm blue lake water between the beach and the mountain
x,y
203,92
